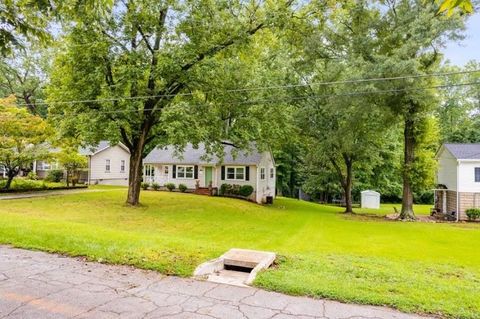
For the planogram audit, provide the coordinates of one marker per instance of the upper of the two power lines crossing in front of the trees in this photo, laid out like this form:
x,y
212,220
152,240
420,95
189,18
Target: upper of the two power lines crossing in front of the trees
x,y
415,76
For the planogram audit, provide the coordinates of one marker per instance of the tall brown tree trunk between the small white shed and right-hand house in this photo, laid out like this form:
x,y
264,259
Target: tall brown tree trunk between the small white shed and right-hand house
x,y
409,158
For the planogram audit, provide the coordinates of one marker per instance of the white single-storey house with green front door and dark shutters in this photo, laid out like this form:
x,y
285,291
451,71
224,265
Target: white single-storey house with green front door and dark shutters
x,y
164,165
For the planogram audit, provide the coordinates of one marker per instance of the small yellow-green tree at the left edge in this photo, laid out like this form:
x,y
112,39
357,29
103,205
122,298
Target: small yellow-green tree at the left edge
x,y
21,138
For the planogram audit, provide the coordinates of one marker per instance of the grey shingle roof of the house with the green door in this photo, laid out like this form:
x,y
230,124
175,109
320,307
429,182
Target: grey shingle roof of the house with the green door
x,y
191,155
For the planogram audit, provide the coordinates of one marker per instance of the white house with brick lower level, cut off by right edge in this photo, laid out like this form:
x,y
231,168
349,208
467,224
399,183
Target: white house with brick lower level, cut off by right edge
x,y
458,179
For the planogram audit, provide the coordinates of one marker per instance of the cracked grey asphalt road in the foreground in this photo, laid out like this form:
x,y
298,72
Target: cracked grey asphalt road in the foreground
x,y
40,285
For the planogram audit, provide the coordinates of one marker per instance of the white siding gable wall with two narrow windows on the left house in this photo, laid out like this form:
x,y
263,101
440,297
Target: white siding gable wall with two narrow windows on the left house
x,y
98,173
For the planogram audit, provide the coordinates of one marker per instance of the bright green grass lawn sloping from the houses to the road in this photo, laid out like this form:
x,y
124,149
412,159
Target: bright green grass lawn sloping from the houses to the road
x,y
418,267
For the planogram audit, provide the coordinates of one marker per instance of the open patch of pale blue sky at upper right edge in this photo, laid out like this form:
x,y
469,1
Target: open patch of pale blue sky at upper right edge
x,y
459,53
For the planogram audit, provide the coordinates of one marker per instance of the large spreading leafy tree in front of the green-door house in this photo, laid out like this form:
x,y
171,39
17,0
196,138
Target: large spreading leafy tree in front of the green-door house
x,y
142,68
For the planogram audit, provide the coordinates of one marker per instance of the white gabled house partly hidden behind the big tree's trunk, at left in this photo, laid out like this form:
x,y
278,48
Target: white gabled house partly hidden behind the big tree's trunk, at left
x,y
107,165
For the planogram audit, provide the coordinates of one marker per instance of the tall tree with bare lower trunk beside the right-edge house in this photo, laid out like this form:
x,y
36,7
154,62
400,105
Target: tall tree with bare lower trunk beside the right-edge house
x,y
411,37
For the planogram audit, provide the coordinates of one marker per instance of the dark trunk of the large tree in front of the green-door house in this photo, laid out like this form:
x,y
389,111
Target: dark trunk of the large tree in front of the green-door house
x,y
135,174
